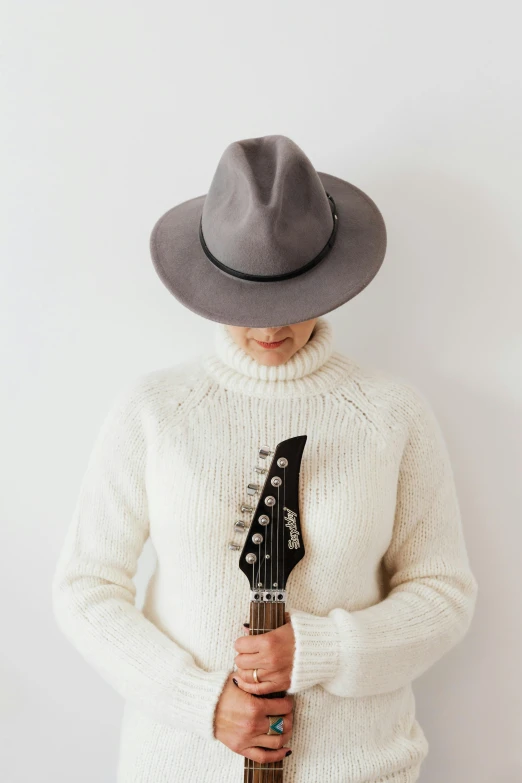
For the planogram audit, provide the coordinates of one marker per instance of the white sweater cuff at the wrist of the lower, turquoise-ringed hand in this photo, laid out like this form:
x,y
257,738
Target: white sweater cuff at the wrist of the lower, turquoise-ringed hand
x,y
197,696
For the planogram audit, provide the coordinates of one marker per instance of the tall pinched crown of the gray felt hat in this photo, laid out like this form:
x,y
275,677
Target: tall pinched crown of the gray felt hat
x,y
266,211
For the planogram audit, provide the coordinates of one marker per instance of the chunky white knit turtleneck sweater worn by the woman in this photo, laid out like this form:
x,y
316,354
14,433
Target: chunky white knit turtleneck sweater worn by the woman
x,y
384,590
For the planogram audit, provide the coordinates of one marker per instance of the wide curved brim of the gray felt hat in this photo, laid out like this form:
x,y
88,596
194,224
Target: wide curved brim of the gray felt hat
x,y
354,260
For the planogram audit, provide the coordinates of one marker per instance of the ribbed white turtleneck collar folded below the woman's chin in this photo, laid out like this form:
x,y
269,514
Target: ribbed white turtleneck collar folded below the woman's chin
x,y
312,369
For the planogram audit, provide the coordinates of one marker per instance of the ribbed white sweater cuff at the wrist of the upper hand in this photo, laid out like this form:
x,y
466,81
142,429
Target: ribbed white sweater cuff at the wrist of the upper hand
x,y
317,650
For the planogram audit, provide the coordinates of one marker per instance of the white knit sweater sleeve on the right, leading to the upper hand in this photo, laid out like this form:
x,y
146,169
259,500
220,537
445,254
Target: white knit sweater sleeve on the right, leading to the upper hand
x,y
432,591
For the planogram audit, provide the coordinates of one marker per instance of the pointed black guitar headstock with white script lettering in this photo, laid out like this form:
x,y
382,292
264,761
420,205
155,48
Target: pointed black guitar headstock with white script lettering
x,y
276,520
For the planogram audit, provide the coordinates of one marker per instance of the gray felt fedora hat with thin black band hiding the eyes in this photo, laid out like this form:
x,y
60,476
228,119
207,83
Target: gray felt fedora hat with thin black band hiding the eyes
x,y
273,242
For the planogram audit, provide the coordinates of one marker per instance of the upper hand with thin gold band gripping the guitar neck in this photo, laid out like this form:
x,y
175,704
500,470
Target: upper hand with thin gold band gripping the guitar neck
x,y
272,654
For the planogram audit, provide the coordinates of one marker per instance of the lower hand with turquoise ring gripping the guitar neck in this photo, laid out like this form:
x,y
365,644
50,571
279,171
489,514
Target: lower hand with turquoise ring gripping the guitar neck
x,y
241,723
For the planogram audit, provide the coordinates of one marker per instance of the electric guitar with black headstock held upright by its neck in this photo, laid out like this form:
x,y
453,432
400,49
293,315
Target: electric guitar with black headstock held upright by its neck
x,y
273,547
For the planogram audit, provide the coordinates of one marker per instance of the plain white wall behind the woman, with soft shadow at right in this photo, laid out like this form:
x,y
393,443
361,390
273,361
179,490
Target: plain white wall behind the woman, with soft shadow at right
x,y
112,112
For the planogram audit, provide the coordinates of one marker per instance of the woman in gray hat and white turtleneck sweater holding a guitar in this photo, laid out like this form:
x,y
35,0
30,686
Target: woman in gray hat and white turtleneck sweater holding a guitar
x,y
385,588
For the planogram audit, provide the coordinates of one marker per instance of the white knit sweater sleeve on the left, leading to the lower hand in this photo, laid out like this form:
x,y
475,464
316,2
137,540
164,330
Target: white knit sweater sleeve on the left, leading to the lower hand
x,y
93,591
